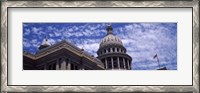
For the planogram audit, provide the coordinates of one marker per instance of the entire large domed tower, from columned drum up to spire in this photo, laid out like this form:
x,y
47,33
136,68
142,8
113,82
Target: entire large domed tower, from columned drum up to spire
x,y
112,53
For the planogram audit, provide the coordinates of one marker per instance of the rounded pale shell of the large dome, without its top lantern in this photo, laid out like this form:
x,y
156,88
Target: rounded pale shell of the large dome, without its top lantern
x,y
110,39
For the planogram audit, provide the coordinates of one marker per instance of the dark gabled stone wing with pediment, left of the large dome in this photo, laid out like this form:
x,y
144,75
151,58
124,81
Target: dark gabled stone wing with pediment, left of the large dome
x,y
61,56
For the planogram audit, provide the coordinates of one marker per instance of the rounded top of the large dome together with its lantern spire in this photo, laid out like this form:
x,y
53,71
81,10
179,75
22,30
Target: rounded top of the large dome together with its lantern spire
x,y
110,38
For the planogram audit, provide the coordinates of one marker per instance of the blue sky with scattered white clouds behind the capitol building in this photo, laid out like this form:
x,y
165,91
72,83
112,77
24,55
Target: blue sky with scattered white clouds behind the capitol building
x,y
142,40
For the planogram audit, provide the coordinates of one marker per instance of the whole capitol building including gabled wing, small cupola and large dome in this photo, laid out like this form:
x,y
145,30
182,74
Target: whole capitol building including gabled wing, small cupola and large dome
x,y
66,56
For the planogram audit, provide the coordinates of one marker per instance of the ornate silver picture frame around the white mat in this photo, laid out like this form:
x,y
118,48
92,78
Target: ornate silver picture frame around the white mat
x,y
4,45
